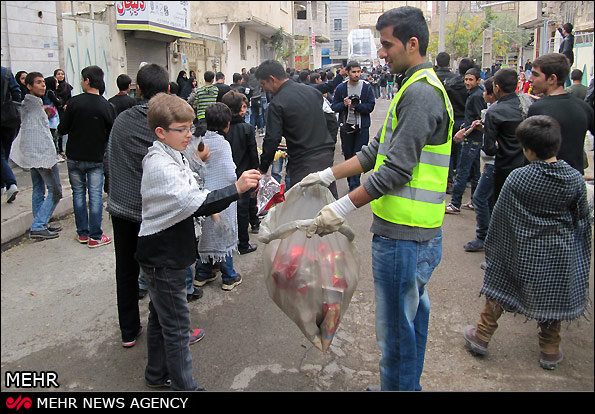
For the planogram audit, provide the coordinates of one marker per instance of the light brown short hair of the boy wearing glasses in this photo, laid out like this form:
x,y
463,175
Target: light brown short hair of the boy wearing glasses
x,y
165,109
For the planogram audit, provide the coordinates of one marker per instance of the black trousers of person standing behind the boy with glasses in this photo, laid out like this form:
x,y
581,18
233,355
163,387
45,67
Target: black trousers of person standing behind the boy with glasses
x,y
127,270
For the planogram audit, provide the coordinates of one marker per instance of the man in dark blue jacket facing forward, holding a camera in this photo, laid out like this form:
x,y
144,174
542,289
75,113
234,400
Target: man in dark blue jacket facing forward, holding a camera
x,y
354,101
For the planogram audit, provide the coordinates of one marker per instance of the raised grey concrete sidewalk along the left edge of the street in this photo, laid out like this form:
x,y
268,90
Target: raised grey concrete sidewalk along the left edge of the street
x,y
17,216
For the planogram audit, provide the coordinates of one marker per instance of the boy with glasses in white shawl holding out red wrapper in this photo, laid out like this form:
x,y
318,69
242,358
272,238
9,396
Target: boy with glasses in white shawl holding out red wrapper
x,y
171,198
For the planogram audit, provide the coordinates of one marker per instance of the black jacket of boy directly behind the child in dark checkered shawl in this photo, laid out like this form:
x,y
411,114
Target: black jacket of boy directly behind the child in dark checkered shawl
x,y
501,121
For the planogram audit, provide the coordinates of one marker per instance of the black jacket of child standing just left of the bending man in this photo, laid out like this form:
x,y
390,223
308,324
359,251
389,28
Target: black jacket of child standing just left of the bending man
x,y
242,139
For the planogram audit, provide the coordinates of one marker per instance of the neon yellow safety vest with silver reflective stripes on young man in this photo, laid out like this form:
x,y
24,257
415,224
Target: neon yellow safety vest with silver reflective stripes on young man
x,y
420,202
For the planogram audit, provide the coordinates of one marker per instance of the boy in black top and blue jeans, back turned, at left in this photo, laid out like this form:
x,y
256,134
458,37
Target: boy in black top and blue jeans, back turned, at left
x,y
87,120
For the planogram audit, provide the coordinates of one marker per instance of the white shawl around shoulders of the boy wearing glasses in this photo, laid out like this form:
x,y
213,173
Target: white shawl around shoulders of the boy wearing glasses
x,y
169,189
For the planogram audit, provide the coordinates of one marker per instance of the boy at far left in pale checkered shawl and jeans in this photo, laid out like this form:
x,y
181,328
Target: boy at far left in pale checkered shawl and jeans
x,y
34,148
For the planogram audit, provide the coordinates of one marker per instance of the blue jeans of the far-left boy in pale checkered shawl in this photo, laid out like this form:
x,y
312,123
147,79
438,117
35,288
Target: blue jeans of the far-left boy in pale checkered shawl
x,y
43,207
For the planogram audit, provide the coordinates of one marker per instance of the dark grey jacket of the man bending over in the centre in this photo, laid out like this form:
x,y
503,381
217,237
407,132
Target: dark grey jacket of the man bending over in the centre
x,y
295,112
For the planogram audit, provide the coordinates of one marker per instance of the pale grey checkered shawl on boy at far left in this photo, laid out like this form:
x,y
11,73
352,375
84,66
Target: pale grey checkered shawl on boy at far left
x,y
34,146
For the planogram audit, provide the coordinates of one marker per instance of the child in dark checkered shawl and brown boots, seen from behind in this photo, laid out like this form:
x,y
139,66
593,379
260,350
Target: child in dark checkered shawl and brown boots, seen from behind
x,y
538,248
